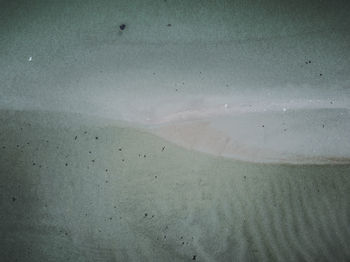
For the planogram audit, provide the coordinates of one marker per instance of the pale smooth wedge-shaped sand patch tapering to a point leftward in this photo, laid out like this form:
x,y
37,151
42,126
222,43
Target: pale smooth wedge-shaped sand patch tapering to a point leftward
x,y
296,136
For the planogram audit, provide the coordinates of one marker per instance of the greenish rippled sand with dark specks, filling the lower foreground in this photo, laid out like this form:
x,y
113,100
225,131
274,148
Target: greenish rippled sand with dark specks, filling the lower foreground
x,y
93,190
